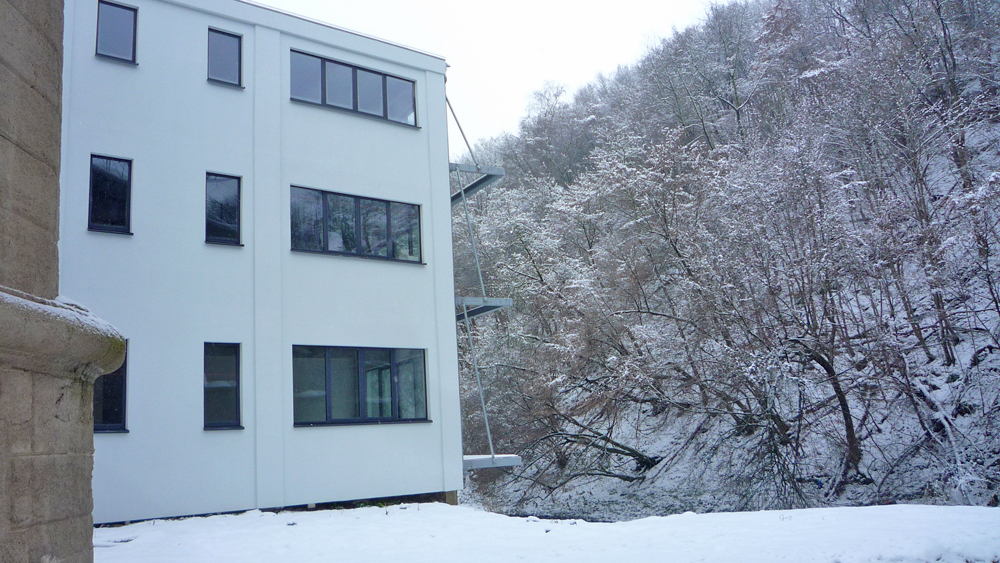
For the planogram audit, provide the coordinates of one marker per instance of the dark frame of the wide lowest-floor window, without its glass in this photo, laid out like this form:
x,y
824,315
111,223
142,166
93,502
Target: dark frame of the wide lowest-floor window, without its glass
x,y
363,389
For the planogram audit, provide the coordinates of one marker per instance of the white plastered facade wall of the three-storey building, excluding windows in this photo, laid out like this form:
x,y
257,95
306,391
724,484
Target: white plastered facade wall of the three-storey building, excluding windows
x,y
169,292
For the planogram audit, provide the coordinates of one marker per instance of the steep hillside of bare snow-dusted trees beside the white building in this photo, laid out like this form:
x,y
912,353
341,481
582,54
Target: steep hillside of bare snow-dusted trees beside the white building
x,y
756,269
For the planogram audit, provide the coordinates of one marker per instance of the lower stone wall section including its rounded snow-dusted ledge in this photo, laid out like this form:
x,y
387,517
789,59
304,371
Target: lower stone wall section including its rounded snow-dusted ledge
x,y
50,354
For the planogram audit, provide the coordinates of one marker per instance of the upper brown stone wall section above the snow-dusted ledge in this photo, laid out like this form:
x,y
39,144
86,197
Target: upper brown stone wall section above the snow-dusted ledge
x,y
30,117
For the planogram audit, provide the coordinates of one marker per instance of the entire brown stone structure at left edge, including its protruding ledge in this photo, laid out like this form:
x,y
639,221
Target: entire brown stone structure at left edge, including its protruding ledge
x,y
50,351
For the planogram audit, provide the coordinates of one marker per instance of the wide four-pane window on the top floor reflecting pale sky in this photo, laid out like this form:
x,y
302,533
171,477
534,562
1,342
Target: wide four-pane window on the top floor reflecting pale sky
x,y
340,85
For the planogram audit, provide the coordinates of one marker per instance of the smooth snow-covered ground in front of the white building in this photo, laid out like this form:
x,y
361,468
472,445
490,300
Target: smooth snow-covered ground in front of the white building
x,y
417,533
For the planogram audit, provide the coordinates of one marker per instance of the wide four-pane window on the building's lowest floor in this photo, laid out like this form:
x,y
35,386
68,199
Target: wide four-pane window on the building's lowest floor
x,y
343,385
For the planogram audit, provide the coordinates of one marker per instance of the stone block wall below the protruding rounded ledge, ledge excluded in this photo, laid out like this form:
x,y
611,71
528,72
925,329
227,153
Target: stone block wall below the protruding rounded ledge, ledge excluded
x,y
45,463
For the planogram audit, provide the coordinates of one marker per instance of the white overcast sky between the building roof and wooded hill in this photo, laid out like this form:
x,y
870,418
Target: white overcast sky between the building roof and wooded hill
x,y
502,52
